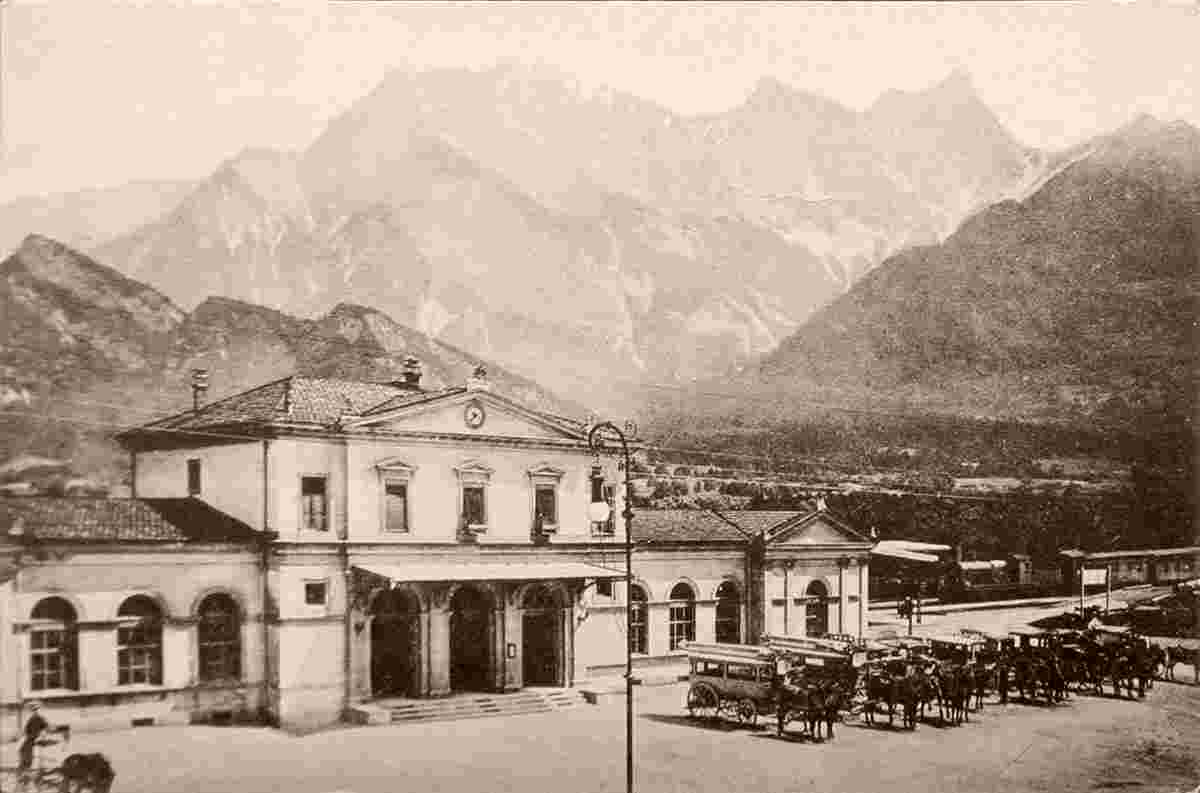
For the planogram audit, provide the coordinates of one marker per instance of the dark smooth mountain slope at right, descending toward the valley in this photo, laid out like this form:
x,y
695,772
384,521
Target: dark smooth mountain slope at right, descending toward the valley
x,y
1077,303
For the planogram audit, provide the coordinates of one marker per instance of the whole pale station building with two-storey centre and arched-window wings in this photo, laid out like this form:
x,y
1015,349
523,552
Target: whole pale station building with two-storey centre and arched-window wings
x,y
301,549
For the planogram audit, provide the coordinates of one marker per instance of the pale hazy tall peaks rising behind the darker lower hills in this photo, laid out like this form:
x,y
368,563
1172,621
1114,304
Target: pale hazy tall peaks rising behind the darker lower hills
x,y
567,231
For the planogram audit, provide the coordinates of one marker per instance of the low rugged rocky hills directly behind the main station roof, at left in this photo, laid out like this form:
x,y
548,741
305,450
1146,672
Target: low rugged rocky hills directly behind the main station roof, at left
x,y
89,351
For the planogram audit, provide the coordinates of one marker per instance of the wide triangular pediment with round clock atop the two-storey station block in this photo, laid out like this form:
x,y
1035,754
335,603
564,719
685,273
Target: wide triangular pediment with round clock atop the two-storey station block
x,y
475,413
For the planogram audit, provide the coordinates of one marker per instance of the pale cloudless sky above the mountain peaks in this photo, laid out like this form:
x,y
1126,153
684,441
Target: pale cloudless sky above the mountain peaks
x,y
99,94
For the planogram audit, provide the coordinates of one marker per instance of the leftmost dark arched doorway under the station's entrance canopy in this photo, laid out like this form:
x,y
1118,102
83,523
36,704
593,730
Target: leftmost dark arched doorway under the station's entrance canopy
x,y
395,645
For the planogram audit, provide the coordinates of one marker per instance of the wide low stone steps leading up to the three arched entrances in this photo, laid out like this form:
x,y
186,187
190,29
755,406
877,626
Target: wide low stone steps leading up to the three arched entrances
x,y
476,706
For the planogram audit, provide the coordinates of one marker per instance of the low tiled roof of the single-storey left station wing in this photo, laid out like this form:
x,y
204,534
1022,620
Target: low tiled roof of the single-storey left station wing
x,y
119,520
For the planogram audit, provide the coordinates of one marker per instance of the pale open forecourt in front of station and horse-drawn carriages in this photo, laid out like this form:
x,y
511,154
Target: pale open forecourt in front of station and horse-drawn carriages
x,y
1069,748
